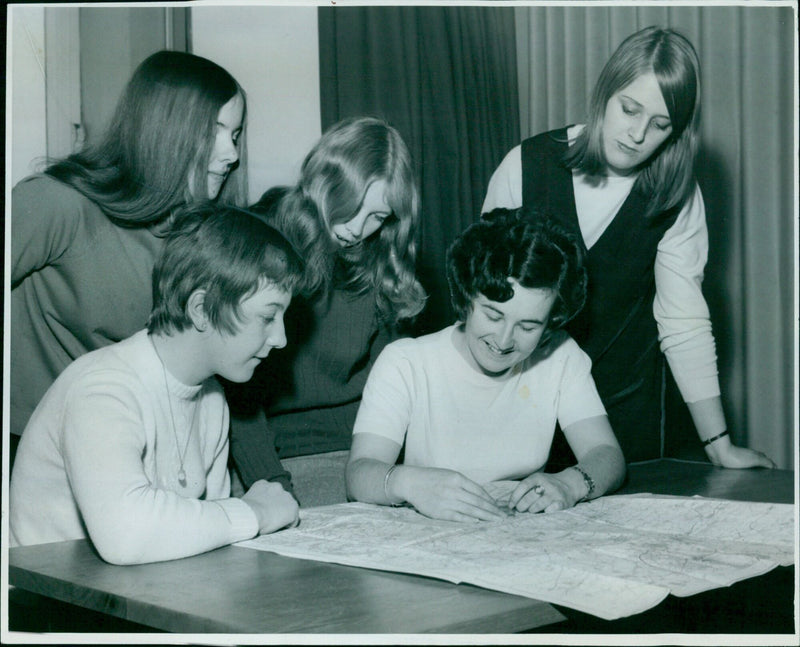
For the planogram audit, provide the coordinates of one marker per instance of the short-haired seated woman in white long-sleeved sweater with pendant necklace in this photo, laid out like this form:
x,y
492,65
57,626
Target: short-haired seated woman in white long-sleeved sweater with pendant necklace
x,y
129,446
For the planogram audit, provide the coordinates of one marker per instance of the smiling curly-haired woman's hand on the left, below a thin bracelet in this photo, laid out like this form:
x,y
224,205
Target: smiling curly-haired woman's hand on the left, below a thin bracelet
x,y
445,494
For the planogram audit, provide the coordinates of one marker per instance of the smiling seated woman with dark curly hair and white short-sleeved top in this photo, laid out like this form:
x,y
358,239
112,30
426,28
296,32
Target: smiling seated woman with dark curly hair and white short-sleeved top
x,y
478,402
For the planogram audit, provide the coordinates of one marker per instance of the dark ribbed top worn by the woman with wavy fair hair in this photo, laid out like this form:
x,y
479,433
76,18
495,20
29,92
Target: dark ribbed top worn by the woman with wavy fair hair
x,y
304,398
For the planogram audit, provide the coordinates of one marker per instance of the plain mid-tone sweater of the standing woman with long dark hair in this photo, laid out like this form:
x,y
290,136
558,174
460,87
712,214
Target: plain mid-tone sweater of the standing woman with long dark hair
x,y
78,282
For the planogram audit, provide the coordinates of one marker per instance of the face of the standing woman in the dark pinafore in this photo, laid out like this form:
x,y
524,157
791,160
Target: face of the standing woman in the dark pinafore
x,y
635,124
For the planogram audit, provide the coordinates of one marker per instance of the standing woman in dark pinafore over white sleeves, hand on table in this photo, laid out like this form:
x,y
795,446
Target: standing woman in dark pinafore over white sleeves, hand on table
x,y
624,183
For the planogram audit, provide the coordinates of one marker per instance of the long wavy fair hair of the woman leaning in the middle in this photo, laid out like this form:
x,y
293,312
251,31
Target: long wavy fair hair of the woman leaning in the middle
x,y
335,177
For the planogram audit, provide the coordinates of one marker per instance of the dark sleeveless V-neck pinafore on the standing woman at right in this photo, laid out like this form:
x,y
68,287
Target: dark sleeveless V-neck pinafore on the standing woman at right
x,y
616,327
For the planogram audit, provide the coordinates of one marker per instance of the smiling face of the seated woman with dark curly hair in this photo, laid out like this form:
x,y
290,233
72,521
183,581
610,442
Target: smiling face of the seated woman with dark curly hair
x,y
499,335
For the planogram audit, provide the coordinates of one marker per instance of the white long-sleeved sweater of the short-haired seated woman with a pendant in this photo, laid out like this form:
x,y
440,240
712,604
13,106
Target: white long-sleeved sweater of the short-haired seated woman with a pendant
x,y
101,455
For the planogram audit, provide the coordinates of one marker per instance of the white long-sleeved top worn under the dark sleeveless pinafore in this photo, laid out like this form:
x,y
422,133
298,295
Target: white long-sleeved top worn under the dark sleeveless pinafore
x,y
679,308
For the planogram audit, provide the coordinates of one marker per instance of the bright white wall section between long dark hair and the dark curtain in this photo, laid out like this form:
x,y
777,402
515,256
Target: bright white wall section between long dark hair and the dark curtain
x,y
273,52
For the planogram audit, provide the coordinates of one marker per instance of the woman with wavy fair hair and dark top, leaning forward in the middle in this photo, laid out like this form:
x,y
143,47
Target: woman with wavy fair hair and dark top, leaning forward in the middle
x,y
354,215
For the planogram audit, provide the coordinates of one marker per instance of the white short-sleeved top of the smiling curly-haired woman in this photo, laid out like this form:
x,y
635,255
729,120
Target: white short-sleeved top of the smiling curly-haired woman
x,y
424,393
